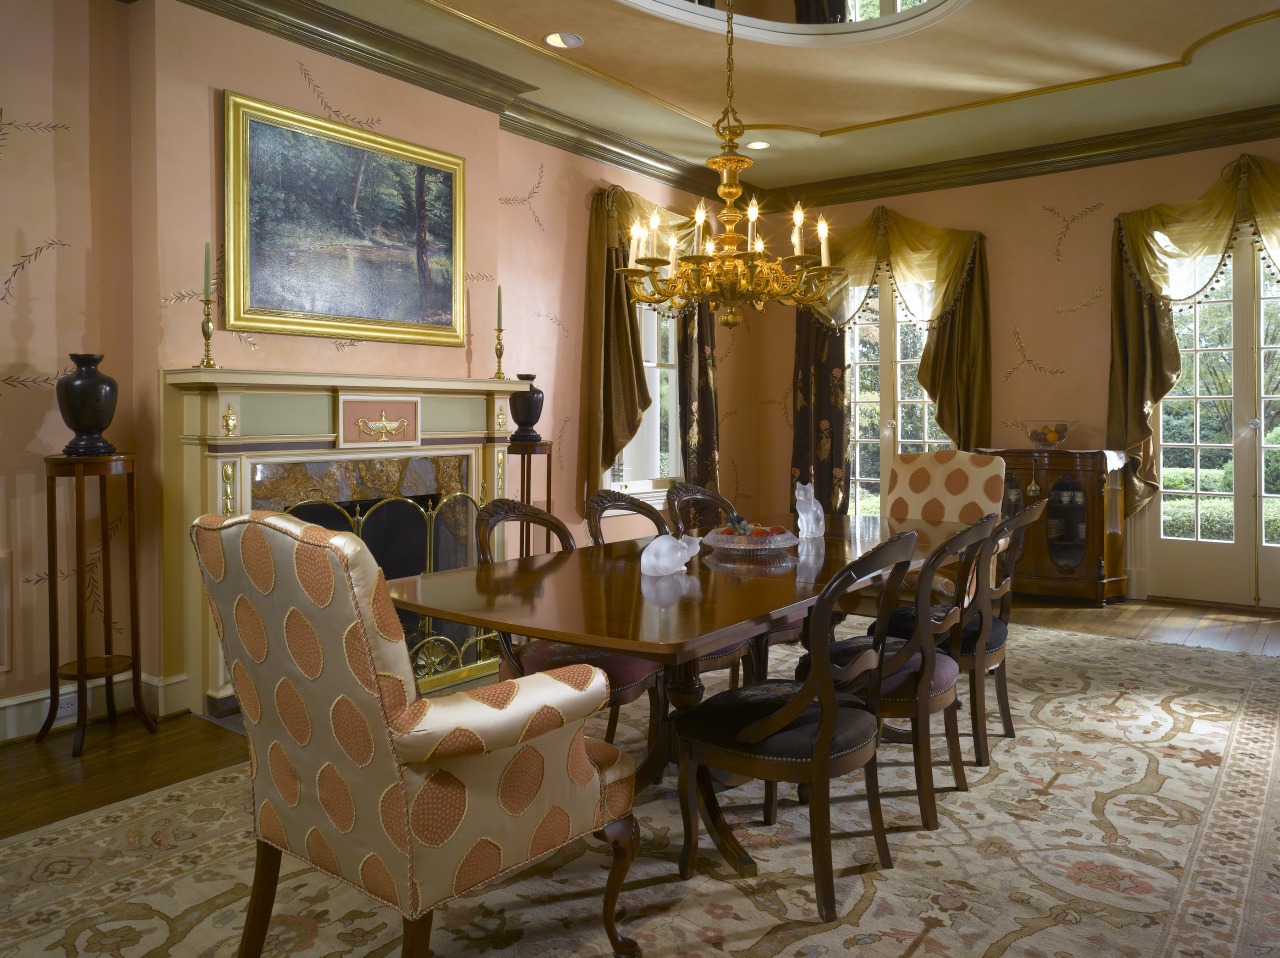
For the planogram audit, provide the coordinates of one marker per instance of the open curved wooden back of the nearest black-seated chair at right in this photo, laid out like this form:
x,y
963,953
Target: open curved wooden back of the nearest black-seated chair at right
x,y
890,559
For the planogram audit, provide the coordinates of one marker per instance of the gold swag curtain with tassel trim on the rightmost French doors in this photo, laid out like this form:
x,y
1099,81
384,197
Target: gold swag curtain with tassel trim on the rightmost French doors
x,y
1153,264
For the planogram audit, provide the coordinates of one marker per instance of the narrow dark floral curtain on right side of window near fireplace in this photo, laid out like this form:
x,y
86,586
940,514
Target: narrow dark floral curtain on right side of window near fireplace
x,y
700,426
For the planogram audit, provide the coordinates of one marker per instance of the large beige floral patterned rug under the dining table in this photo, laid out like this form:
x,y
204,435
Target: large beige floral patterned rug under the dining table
x,y
1137,814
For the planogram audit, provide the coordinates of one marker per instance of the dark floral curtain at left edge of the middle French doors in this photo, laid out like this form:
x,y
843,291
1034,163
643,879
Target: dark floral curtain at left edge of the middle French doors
x,y
820,446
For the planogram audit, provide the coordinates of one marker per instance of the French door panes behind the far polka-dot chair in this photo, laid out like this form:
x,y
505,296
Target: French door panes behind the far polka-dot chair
x,y
890,412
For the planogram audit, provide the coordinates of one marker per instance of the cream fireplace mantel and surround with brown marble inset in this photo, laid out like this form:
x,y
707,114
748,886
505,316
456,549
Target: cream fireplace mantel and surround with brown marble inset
x,y
221,427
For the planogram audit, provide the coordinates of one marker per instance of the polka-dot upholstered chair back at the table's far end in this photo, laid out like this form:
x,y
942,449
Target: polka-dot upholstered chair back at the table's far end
x,y
945,486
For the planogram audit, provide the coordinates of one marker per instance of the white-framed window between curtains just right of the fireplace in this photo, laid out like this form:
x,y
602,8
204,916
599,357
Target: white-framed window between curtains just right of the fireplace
x,y
652,460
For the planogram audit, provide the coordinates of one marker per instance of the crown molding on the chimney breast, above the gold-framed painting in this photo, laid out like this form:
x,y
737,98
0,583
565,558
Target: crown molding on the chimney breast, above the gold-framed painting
x,y
319,28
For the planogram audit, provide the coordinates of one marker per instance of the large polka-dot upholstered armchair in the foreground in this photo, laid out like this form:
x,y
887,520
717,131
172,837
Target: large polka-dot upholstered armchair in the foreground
x,y
413,801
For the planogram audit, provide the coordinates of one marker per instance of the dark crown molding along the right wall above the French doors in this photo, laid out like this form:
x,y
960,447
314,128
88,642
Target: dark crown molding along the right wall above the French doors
x,y
1223,130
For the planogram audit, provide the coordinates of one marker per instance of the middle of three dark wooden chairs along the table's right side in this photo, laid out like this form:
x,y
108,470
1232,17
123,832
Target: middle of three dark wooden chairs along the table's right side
x,y
918,679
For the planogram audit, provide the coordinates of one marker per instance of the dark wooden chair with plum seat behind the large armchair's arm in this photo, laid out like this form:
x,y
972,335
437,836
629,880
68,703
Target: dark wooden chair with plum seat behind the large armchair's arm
x,y
629,677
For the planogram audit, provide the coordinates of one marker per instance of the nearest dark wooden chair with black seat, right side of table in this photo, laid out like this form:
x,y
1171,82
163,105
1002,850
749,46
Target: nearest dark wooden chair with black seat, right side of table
x,y
796,731
